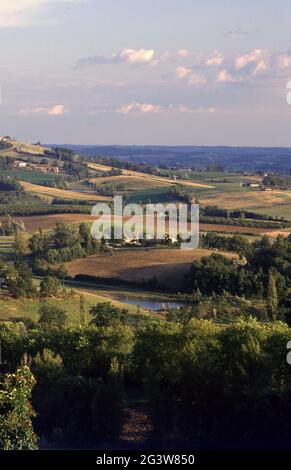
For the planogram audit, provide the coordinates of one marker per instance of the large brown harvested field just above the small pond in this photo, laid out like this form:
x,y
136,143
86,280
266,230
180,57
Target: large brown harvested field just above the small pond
x,y
168,265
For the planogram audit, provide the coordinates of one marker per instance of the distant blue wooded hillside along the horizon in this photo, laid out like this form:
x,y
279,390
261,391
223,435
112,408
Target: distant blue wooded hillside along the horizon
x,y
231,158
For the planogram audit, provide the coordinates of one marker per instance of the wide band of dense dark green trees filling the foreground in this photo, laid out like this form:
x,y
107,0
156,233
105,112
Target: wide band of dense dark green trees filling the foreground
x,y
206,386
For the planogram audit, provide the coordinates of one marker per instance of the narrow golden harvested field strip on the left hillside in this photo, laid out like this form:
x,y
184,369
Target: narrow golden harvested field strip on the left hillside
x,y
61,193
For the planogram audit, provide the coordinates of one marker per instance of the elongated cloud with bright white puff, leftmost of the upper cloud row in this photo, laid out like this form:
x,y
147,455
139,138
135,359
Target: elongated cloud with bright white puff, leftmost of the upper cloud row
x,y
129,56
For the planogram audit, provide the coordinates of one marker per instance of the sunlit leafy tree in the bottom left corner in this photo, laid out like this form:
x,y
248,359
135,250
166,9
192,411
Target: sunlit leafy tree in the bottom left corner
x,y
16,431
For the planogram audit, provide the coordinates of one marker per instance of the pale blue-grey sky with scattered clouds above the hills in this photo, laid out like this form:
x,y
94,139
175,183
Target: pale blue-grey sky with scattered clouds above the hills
x,y
154,72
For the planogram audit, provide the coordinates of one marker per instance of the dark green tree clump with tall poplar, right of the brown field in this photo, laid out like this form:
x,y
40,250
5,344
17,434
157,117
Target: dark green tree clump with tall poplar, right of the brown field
x,y
262,271
